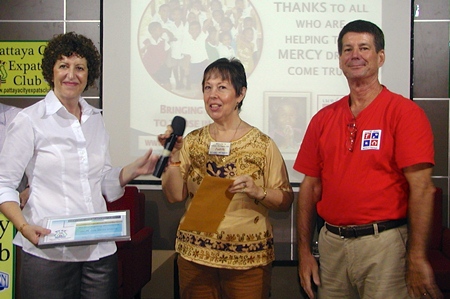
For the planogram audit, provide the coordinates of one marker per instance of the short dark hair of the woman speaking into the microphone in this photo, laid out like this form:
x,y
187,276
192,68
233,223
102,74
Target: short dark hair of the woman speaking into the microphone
x,y
229,69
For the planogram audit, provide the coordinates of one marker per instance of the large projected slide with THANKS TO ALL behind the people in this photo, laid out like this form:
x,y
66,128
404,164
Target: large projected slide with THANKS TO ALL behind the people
x,y
155,52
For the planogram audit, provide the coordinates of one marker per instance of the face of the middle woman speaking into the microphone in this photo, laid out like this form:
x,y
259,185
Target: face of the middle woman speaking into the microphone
x,y
221,99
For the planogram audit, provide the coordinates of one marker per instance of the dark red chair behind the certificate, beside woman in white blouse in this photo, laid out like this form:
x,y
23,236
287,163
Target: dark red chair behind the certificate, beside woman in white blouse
x,y
135,256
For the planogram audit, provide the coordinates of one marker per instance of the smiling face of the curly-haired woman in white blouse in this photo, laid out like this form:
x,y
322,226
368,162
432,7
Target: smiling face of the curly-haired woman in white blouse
x,y
70,76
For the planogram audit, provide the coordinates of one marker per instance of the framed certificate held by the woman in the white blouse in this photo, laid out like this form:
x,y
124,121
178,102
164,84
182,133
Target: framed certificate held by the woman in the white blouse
x,y
86,229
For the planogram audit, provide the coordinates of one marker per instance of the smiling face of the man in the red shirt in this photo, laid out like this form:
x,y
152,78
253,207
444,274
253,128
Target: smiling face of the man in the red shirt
x,y
359,58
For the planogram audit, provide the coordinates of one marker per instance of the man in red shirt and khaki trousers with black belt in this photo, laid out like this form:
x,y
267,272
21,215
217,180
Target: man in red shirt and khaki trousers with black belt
x,y
367,161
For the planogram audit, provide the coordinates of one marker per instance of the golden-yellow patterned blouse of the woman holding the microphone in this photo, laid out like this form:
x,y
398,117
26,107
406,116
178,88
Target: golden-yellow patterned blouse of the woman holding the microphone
x,y
244,238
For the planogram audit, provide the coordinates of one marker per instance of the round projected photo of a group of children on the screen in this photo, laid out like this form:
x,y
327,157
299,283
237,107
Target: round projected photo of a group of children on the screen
x,y
179,39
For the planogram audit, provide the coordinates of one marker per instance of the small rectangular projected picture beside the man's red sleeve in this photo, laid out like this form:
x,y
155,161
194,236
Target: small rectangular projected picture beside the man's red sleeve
x,y
287,118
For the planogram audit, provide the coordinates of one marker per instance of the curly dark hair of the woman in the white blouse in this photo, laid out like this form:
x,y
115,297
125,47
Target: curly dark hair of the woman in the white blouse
x,y
68,44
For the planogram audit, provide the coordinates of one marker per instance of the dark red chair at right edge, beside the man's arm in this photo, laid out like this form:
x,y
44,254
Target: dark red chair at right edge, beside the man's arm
x,y
439,253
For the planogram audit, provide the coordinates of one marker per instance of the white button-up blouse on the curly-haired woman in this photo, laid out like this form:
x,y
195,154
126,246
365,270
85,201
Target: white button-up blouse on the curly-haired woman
x,y
68,167
